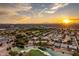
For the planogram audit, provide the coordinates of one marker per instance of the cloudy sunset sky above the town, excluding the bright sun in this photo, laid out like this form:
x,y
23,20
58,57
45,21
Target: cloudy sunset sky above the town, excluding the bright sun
x,y
38,13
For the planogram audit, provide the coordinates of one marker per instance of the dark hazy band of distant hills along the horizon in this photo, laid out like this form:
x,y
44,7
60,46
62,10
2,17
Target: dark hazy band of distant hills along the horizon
x,y
27,26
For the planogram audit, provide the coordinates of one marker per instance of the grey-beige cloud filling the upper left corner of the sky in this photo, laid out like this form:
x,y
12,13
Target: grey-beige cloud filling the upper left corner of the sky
x,y
12,9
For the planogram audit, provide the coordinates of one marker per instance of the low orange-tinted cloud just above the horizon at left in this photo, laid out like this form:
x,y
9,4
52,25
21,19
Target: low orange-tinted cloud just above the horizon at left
x,y
16,20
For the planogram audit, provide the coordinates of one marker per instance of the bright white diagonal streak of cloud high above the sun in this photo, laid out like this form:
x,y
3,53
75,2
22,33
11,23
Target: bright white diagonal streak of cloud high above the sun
x,y
55,7
